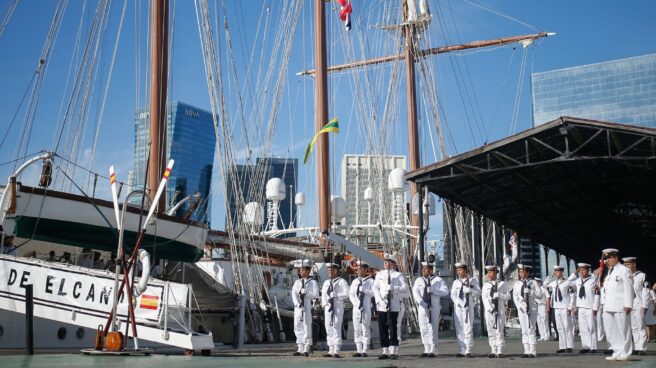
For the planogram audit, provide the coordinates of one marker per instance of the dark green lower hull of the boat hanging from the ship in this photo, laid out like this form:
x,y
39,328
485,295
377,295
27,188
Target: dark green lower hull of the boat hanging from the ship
x,y
102,238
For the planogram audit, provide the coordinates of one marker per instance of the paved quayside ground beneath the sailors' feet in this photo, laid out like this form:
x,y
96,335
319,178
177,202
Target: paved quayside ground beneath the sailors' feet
x,y
279,355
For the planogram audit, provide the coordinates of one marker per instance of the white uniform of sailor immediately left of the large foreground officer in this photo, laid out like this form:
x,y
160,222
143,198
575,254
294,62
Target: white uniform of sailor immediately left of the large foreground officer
x,y
587,303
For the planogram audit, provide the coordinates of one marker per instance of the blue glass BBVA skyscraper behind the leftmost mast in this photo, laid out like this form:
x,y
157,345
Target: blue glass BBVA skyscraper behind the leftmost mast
x,y
190,142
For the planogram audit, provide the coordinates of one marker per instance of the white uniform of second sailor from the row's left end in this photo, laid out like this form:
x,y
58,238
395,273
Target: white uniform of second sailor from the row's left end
x,y
334,313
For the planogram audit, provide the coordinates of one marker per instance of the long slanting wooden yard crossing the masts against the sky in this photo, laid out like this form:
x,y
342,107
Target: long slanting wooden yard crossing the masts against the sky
x,y
435,51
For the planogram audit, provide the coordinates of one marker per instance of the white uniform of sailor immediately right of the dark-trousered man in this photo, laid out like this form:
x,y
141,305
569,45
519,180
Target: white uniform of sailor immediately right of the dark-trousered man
x,y
427,293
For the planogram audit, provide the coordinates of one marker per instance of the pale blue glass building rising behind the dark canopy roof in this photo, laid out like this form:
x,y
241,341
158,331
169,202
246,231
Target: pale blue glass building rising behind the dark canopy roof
x,y
618,91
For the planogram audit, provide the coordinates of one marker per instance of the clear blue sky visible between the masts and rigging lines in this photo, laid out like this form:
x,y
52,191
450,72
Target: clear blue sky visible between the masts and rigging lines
x,y
587,32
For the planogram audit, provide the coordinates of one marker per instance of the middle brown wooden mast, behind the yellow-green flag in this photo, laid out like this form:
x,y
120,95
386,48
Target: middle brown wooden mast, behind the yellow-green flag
x,y
321,101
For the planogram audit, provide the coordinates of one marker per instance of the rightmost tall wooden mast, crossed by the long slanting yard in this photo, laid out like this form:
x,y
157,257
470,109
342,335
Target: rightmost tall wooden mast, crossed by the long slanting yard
x,y
411,99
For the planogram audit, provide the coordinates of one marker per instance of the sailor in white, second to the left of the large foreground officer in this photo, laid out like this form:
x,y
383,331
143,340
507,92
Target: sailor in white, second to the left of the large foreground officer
x,y
562,304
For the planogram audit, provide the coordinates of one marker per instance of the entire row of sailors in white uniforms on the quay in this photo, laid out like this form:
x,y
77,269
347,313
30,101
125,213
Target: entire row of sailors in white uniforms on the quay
x,y
615,298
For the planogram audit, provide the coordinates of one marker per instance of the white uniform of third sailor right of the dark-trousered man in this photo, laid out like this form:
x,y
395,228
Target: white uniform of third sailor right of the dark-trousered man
x,y
494,303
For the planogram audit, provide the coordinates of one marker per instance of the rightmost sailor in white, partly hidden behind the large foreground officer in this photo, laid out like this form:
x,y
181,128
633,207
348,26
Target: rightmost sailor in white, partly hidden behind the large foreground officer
x,y
640,304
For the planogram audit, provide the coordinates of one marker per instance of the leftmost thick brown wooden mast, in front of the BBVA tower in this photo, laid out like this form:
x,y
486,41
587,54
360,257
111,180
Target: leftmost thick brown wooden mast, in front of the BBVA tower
x,y
158,91
